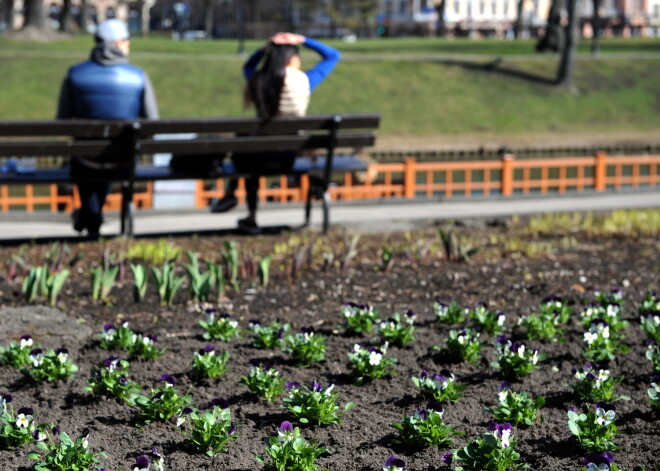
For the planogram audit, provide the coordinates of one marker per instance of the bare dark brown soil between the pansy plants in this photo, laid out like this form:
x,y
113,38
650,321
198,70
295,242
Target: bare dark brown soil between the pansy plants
x,y
506,281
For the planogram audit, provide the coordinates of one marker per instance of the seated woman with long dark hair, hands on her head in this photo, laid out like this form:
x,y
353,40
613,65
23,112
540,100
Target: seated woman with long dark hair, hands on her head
x,y
275,87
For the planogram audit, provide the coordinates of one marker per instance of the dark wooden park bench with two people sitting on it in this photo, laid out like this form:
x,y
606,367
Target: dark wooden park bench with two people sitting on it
x,y
127,141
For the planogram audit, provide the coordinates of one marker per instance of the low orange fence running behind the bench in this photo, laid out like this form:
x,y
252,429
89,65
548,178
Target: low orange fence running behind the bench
x,y
407,179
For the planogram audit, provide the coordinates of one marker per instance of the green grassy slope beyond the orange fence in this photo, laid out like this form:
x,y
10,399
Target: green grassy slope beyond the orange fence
x,y
421,87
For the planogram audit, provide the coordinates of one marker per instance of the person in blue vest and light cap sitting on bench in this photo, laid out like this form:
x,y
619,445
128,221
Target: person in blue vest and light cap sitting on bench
x,y
104,87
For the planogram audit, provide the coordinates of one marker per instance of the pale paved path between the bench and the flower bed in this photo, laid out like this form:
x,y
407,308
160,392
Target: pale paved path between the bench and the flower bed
x,y
364,216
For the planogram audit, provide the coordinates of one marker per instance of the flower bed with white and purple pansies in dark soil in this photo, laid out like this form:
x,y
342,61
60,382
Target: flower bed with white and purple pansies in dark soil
x,y
357,413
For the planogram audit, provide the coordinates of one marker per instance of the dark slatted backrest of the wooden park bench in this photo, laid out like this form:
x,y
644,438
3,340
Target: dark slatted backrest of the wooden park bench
x,y
123,139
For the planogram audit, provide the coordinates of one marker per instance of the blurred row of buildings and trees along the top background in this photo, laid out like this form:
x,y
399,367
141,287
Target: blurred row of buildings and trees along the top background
x,y
195,19
